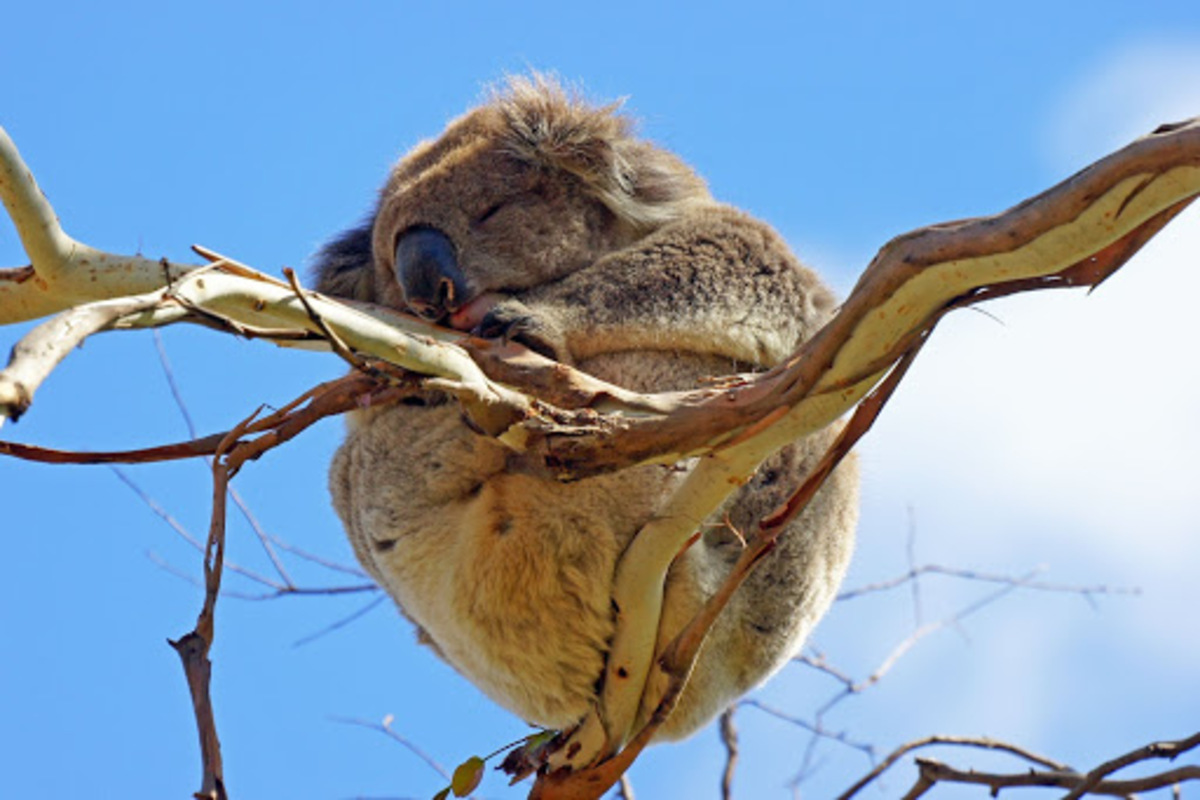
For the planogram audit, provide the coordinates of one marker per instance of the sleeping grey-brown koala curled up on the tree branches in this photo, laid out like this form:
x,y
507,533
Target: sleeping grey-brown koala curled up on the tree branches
x,y
545,220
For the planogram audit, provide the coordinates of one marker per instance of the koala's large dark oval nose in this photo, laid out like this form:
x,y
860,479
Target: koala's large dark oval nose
x,y
429,274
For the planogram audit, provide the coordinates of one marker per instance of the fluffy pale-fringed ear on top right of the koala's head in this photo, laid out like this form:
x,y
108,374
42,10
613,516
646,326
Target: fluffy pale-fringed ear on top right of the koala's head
x,y
640,183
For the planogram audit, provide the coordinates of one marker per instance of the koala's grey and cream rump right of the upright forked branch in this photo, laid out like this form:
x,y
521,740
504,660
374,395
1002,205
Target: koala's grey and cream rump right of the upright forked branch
x,y
771,616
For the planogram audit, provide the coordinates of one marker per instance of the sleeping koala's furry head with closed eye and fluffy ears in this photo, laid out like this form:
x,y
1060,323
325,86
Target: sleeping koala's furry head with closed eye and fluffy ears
x,y
530,188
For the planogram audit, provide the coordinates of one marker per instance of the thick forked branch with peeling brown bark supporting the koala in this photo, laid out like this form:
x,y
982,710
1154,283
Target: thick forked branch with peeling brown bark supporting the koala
x,y
567,425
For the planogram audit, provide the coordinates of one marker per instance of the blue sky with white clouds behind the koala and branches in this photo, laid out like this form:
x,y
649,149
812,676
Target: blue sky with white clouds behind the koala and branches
x,y
1060,431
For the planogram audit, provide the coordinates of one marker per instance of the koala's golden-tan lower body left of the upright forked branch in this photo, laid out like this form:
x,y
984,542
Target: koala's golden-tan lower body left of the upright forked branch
x,y
508,576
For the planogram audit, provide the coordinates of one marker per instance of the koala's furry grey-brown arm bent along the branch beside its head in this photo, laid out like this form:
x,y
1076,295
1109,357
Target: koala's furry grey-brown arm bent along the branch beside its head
x,y
716,282
